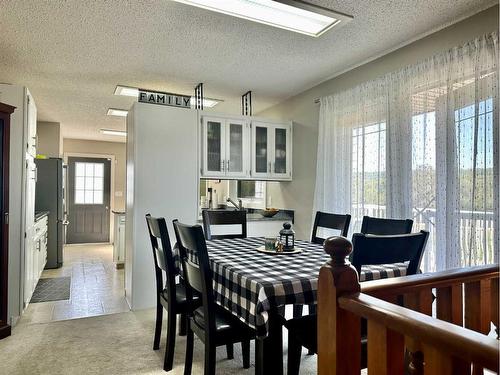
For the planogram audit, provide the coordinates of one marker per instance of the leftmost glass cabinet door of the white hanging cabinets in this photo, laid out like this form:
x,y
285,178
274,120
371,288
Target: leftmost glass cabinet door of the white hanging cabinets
x,y
214,136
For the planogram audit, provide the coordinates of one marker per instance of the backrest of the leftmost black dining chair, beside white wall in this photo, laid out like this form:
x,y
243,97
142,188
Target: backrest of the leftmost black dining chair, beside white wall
x,y
162,255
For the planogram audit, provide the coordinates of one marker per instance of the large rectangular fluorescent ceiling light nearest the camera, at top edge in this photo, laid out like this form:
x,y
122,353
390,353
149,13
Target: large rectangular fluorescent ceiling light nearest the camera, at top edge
x,y
293,15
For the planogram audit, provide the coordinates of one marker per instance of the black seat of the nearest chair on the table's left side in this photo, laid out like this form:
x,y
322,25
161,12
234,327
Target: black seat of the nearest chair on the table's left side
x,y
227,326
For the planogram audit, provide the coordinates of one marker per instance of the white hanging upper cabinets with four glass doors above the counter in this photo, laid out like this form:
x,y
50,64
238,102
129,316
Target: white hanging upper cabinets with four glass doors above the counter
x,y
245,148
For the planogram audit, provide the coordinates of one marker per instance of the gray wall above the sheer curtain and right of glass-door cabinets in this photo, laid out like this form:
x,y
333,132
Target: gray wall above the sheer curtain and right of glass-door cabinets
x,y
299,193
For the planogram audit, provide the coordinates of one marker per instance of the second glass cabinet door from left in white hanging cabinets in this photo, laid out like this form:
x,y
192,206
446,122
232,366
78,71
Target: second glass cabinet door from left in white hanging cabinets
x,y
235,155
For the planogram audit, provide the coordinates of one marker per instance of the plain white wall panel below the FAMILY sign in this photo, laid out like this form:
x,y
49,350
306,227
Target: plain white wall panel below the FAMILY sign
x,y
162,179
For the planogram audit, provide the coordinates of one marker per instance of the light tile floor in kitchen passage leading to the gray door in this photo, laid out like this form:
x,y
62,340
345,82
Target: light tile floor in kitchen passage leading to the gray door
x,y
97,287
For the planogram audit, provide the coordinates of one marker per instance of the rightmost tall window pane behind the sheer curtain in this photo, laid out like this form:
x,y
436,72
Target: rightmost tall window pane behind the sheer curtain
x,y
475,179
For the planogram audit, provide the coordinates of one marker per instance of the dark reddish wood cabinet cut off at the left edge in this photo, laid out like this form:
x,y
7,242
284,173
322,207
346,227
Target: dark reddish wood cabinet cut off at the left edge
x,y
5,112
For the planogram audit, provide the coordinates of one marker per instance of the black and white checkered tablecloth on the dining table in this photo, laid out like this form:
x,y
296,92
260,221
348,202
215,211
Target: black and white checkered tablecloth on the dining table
x,y
249,283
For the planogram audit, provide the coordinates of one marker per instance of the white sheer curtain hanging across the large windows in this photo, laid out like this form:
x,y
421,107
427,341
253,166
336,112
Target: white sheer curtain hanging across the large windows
x,y
421,143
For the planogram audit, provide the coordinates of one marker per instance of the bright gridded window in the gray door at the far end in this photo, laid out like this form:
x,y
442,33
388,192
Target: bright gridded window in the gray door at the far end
x,y
89,183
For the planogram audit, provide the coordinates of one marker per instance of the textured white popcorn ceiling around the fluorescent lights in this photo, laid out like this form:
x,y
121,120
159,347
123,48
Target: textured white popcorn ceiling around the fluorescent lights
x,y
72,54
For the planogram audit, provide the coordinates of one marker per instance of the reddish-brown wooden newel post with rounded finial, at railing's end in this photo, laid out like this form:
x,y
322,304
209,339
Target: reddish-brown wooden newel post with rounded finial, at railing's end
x,y
339,331
